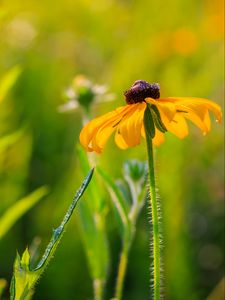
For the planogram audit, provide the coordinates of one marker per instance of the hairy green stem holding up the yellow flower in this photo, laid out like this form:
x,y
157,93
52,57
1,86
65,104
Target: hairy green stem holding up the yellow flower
x,y
155,218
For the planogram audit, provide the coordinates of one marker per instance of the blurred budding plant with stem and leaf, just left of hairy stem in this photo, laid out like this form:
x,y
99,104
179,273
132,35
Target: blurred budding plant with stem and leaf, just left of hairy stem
x,y
128,198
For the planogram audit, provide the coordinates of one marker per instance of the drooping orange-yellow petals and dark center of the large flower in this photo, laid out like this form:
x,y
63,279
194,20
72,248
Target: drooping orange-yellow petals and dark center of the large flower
x,y
127,121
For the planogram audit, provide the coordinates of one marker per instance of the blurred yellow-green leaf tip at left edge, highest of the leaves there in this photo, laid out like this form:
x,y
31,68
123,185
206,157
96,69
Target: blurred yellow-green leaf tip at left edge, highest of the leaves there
x,y
8,80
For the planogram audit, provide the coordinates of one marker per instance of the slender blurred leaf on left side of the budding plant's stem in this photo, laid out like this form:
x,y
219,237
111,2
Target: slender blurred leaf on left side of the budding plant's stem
x,y
120,205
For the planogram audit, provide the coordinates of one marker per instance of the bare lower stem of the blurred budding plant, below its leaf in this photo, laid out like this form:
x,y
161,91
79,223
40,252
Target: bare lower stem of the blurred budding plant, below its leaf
x,y
121,272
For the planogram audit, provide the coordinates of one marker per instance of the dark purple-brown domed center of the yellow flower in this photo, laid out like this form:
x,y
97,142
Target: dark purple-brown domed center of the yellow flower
x,y
140,90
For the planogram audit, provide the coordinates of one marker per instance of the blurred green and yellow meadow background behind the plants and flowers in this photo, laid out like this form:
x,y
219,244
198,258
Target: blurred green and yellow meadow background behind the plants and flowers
x,y
176,43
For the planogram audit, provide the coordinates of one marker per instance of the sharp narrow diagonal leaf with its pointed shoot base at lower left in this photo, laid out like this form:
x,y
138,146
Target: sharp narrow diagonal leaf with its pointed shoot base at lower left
x,y
24,278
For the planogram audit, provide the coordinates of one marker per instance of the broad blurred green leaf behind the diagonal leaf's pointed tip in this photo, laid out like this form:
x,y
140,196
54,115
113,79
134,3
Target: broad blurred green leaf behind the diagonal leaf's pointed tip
x,y
92,223
